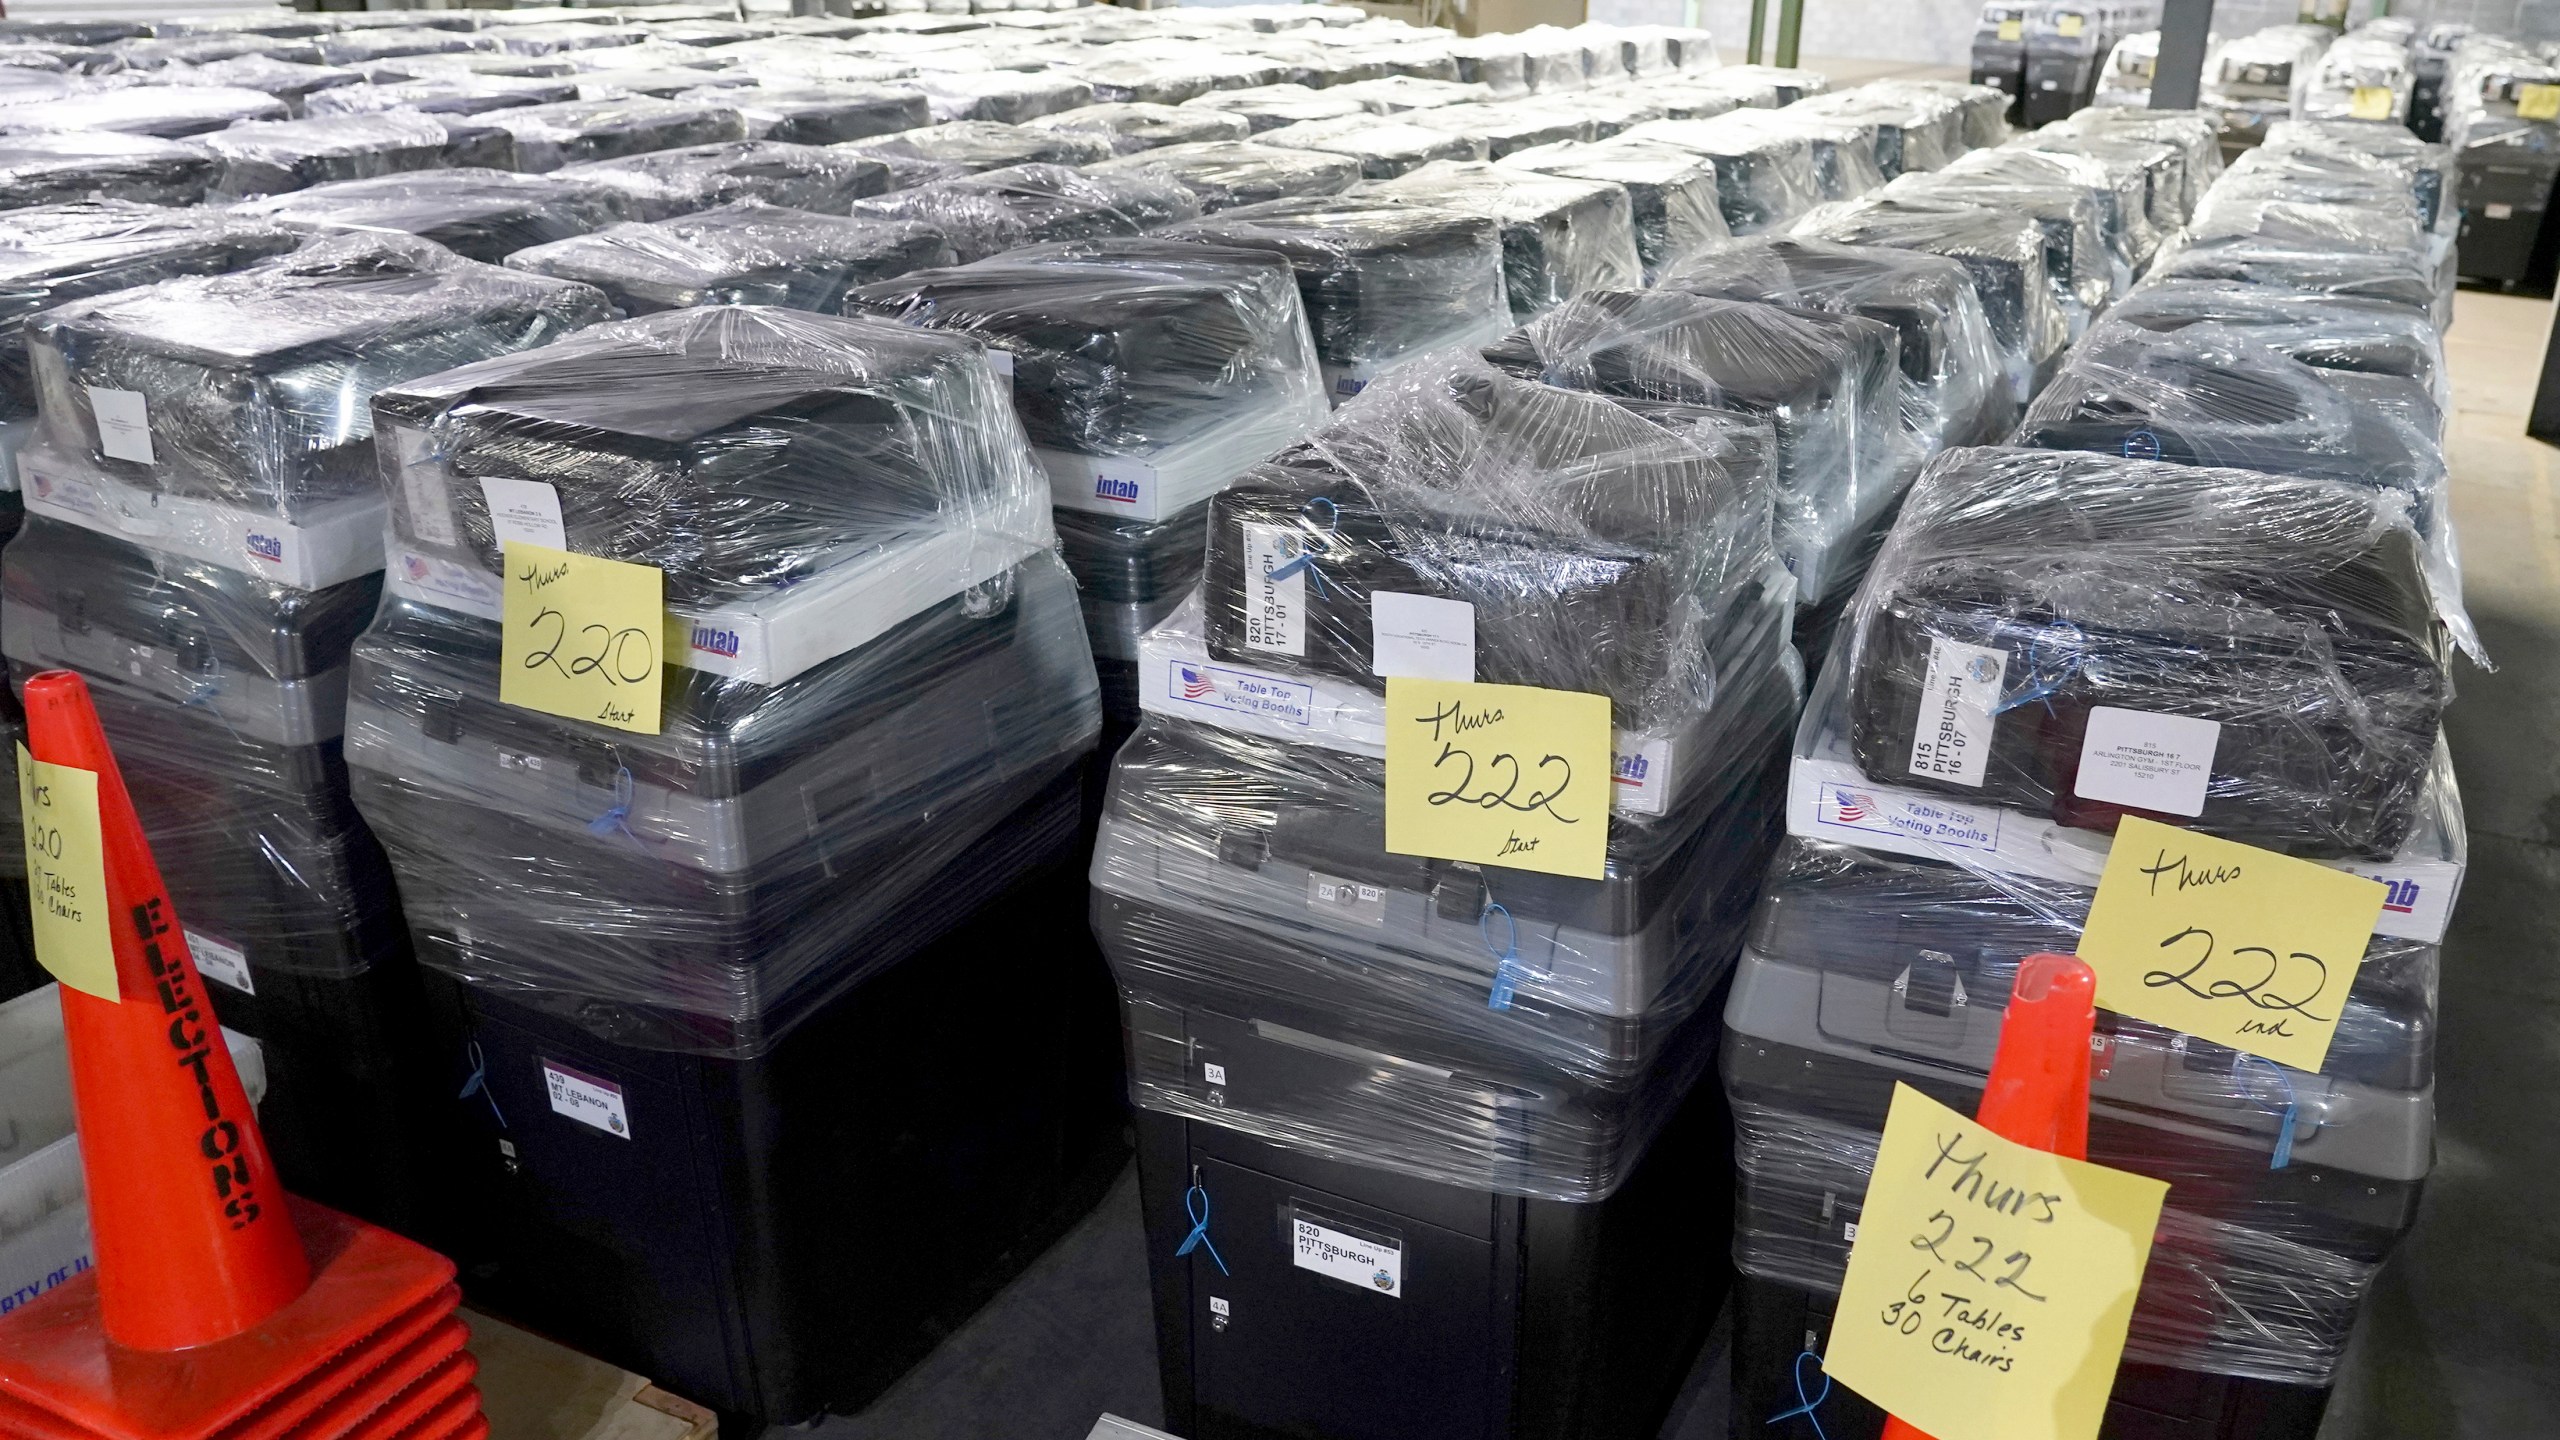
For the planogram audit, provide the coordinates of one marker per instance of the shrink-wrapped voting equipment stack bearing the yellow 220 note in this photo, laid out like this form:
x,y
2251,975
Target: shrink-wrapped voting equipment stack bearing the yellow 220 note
x,y
695,975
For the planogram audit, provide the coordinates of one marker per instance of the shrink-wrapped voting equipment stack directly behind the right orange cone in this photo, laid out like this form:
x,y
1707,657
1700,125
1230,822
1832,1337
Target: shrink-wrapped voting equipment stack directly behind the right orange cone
x,y
2036,632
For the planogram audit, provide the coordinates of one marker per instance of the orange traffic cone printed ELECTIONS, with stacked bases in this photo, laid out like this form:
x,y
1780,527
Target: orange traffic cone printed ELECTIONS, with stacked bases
x,y
219,1308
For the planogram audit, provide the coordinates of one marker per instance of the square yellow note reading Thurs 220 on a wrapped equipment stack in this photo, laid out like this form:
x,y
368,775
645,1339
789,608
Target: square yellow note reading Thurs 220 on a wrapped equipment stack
x,y
582,637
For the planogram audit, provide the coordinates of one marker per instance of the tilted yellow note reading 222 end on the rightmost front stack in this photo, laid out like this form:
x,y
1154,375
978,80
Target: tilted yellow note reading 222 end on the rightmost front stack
x,y
2228,942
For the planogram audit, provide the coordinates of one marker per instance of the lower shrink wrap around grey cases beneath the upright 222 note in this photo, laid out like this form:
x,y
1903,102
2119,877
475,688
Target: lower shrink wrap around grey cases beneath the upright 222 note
x,y
1286,978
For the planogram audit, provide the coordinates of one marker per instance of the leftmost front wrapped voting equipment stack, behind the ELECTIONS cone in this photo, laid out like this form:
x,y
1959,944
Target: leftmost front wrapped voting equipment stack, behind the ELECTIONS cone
x,y
204,547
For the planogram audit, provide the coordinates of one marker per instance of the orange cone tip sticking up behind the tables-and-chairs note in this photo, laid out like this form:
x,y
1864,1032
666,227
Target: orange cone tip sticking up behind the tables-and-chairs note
x,y
2039,1093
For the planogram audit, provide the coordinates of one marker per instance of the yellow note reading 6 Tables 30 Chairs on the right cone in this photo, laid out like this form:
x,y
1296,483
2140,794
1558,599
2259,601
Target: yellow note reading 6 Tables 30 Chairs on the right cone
x,y
1990,1285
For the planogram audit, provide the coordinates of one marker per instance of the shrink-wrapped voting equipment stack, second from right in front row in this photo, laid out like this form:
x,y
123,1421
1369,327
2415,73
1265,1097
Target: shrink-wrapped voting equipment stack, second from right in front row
x,y
1435,1126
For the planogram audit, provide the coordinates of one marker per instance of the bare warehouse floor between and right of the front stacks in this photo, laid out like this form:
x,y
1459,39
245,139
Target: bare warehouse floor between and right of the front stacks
x,y
2459,1336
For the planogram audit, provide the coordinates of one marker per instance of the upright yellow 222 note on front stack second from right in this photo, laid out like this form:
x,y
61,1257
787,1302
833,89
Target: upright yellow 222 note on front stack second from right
x,y
1501,775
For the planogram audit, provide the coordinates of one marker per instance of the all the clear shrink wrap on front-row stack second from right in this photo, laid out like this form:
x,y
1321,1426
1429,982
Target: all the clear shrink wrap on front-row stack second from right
x,y
1463,1024
